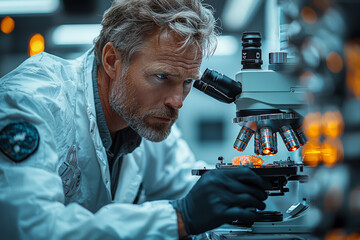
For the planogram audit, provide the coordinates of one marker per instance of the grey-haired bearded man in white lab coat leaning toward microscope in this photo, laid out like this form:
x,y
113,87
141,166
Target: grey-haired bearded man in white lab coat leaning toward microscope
x,y
71,162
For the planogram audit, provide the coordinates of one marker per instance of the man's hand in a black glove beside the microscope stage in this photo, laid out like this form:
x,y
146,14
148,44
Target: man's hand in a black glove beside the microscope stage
x,y
221,196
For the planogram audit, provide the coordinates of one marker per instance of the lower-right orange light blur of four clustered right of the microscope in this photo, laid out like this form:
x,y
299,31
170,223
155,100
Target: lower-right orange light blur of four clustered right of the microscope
x,y
332,151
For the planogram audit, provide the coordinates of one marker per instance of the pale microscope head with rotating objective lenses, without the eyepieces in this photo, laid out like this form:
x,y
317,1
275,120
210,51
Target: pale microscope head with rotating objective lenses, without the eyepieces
x,y
270,102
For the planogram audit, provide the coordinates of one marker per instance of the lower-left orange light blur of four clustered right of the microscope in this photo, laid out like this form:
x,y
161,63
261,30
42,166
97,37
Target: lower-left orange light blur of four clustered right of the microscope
x,y
311,153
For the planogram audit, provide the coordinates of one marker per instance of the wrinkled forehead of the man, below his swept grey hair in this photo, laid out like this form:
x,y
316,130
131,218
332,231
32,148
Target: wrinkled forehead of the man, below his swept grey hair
x,y
162,50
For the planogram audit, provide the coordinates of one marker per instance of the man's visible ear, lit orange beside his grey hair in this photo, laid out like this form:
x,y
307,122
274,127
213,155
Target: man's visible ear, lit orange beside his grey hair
x,y
111,60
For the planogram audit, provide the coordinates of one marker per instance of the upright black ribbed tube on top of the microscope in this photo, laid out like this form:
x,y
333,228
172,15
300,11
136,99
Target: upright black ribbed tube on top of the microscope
x,y
251,52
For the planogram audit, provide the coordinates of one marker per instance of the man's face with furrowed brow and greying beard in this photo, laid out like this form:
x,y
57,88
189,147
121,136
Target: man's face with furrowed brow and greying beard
x,y
158,79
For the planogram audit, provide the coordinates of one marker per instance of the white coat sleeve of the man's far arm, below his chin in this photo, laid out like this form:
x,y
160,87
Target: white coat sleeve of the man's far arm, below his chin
x,y
170,177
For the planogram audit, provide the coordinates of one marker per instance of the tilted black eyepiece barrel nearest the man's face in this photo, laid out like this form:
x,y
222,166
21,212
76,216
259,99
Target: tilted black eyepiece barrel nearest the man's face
x,y
221,82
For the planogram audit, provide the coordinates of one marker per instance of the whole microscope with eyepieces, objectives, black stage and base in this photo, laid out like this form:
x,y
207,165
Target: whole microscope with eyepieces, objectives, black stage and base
x,y
267,102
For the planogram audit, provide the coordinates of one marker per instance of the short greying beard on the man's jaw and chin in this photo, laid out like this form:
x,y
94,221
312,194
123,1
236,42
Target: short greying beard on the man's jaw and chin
x,y
123,101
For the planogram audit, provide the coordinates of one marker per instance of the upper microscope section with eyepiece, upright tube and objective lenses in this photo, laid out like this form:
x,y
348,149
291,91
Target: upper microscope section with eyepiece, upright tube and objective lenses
x,y
267,101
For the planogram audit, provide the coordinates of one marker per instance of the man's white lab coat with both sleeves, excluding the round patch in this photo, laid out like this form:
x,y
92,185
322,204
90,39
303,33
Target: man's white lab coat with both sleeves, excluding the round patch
x,y
56,96
